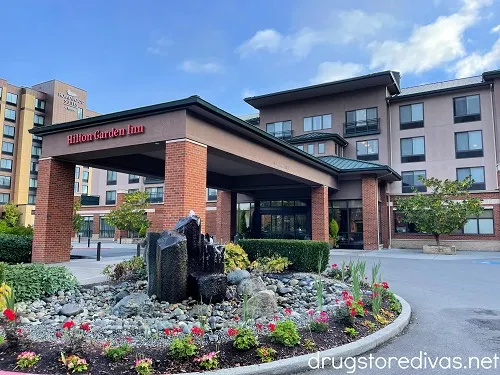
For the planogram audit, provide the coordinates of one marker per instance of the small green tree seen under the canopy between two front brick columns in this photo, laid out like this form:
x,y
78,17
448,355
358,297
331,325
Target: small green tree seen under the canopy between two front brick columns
x,y
131,215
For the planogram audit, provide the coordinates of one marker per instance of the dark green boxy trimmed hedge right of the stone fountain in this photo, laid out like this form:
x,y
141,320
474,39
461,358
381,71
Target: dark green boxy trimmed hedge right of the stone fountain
x,y
305,255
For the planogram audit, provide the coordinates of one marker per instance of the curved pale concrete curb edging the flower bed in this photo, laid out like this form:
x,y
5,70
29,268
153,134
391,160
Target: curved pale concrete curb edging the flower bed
x,y
301,363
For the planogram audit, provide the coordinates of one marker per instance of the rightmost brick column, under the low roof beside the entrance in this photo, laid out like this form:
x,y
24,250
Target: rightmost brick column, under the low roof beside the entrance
x,y
370,216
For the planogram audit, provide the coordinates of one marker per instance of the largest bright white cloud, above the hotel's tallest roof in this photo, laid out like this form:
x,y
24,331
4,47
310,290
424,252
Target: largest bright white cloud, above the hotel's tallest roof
x,y
431,45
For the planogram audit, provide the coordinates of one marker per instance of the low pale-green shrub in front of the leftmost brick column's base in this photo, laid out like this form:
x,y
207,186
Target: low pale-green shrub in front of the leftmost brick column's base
x,y
33,281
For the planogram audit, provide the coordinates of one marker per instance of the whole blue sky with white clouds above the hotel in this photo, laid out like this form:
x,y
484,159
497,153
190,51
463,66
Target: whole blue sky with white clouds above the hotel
x,y
128,54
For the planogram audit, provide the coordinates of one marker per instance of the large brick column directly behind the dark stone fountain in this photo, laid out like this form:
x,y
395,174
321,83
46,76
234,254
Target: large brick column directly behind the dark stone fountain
x,y
185,181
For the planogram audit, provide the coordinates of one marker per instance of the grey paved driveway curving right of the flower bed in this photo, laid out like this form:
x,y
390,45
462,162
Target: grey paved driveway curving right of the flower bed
x,y
455,302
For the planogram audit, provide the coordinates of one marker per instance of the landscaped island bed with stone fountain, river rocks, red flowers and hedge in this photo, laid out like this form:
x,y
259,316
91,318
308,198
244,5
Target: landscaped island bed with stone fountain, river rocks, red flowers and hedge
x,y
189,305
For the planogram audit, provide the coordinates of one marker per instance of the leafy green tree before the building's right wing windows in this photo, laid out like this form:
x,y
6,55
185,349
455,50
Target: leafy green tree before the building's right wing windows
x,y
442,211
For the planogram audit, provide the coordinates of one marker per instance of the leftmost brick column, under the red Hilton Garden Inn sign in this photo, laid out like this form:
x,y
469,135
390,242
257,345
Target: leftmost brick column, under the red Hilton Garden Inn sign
x,y
54,211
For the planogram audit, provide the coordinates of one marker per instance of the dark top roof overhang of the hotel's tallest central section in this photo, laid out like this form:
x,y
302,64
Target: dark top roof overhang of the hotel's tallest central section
x,y
386,78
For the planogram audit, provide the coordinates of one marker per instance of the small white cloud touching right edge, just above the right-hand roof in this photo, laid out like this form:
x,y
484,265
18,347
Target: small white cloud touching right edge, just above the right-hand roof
x,y
477,63
